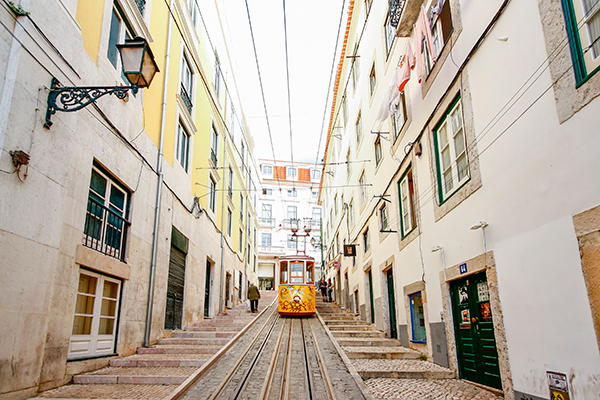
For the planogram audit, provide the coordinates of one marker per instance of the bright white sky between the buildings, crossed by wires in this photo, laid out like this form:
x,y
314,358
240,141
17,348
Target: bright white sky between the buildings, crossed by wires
x,y
312,33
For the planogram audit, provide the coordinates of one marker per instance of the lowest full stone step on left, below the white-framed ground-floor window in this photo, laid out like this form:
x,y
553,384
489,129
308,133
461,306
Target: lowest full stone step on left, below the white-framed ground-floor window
x,y
136,376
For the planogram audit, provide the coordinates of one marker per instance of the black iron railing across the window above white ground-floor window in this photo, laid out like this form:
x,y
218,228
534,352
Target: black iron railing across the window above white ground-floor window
x,y
105,231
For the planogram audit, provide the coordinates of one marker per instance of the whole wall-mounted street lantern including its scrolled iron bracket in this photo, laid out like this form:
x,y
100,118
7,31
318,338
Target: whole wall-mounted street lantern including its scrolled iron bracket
x,y
139,68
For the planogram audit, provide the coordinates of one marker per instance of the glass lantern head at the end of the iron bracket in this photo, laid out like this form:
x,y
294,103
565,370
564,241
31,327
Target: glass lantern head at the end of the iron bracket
x,y
138,62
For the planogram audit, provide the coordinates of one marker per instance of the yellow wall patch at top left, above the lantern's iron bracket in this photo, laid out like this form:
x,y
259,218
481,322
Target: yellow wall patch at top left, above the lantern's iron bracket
x,y
89,17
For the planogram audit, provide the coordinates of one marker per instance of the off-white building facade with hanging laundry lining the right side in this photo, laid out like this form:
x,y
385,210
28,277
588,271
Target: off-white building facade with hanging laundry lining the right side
x,y
465,136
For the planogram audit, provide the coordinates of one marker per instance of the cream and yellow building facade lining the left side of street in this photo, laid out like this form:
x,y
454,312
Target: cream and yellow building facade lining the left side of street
x,y
114,220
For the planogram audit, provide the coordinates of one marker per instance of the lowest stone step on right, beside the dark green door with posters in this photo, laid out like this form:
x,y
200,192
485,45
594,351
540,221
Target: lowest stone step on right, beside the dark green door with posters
x,y
401,369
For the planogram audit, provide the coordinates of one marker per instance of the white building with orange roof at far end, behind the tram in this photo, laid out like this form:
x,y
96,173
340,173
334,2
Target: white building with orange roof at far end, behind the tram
x,y
287,203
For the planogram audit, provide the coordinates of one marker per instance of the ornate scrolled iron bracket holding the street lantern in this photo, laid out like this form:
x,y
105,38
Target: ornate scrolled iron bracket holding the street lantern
x,y
73,98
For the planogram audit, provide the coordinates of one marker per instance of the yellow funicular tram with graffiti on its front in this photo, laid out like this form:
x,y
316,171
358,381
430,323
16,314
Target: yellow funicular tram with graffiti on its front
x,y
296,276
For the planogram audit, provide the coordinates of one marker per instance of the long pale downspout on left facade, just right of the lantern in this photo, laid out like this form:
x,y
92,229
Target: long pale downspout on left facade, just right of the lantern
x,y
160,183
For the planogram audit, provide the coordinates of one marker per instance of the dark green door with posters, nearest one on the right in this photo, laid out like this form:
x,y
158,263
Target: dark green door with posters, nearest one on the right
x,y
476,344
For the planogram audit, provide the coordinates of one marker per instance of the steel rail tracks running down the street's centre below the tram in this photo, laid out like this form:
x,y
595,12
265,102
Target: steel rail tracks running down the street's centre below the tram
x,y
283,361
